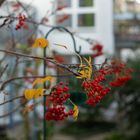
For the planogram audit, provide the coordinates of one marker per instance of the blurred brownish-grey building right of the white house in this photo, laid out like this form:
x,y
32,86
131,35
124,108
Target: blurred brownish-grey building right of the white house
x,y
126,27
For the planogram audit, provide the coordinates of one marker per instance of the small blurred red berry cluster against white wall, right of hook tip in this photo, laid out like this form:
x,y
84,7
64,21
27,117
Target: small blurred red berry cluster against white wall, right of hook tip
x,y
98,50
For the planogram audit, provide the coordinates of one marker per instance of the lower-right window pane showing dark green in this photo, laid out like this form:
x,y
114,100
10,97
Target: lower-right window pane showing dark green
x,y
86,20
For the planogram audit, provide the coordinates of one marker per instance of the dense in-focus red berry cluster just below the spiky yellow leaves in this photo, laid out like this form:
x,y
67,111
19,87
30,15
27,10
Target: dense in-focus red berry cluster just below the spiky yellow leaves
x,y
95,90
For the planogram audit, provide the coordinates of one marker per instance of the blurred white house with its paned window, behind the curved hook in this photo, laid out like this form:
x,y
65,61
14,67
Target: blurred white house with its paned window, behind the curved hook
x,y
91,19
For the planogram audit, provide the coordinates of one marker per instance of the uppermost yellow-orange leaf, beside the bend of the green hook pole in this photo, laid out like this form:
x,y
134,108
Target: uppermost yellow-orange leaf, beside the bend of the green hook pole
x,y
40,42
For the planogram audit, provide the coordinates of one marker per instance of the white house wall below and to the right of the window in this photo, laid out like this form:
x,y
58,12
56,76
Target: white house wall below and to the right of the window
x,y
103,31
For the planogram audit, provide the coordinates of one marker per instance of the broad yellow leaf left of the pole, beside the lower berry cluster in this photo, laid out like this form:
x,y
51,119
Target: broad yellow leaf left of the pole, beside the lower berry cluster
x,y
33,93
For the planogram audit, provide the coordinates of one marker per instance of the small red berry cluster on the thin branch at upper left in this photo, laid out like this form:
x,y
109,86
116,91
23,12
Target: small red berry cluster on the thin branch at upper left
x,y
21,22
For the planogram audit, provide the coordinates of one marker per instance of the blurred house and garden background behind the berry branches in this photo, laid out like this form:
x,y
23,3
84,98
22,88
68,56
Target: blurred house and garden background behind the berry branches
x,y
113,23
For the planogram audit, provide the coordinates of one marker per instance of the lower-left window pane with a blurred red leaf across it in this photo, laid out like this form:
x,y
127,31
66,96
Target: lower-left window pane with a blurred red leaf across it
x,y
64,20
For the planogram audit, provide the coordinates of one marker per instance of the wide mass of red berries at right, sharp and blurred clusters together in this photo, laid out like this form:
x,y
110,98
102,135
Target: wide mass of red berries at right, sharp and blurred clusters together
x,y
95,88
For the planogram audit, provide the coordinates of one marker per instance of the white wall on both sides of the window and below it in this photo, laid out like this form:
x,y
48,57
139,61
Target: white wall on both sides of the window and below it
x,y
103,31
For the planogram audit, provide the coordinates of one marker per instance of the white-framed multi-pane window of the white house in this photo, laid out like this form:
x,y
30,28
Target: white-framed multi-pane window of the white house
x,y
76,14
